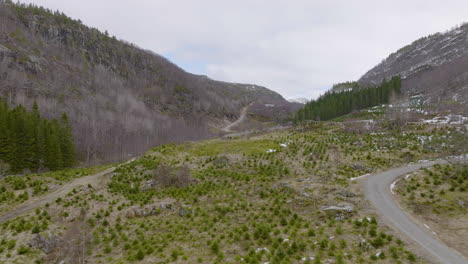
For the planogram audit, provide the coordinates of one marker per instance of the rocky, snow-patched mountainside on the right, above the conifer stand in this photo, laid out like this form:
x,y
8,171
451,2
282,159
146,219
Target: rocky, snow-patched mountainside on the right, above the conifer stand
x,y
433,68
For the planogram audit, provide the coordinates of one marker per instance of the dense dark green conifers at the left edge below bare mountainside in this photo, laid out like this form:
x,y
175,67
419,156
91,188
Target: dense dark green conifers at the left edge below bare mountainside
x,y
28,141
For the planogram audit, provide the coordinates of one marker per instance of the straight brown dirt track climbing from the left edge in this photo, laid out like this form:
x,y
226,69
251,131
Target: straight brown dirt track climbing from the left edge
x,y
39,201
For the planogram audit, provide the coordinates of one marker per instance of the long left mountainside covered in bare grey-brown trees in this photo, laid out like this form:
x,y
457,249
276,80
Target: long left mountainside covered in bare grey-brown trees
x,y
120,99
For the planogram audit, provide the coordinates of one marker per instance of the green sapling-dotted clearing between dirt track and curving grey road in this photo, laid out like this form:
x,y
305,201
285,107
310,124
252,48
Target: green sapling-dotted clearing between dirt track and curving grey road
x,y
283,197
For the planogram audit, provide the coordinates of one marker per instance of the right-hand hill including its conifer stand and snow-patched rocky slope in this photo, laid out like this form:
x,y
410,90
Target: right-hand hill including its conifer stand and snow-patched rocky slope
x,y
434,81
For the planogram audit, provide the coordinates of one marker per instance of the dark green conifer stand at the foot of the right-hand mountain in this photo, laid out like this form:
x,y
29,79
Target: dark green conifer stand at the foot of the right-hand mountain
x,y
333,104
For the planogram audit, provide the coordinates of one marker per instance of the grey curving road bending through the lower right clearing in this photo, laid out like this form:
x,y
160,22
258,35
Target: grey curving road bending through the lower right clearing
x,y
377,191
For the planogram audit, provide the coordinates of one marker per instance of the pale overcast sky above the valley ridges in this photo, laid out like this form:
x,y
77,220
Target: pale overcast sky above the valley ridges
x,y
298,48
